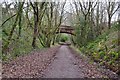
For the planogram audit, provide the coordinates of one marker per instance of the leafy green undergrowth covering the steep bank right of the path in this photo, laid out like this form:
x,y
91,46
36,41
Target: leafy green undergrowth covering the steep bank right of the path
x,y
104,49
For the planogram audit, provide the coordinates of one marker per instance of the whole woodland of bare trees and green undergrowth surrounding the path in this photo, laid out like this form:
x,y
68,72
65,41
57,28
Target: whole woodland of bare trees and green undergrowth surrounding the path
x,y
30,25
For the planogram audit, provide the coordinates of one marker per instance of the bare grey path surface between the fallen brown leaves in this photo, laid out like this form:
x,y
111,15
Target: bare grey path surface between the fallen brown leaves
x,y
63,66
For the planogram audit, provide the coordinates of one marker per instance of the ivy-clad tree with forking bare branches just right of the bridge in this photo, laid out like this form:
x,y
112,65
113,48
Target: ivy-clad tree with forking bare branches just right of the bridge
x,y
84,11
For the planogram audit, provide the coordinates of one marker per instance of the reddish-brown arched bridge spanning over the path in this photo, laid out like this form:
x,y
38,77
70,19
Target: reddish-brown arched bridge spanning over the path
x,y
66,29
